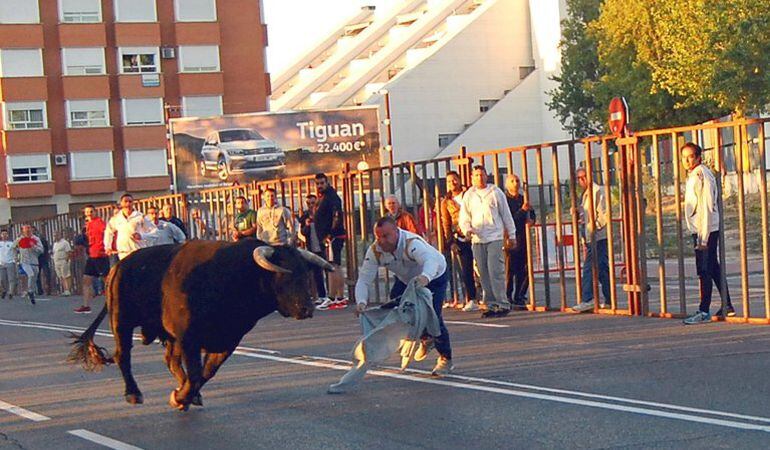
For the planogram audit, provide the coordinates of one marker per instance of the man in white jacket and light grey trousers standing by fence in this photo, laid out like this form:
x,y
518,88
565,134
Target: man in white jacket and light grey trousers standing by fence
x,y
486,218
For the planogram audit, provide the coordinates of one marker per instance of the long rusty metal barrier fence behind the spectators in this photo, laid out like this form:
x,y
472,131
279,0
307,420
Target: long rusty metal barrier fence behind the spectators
x,y
642,176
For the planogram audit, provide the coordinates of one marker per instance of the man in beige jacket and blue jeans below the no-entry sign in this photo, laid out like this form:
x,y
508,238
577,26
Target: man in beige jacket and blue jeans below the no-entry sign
x,y
591,235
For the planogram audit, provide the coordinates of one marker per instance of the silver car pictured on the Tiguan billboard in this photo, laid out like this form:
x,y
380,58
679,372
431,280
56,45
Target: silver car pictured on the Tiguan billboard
x,y
239,151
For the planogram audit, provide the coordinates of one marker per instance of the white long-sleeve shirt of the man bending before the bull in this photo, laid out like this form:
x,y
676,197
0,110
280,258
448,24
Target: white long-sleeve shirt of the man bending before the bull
x,y
412,257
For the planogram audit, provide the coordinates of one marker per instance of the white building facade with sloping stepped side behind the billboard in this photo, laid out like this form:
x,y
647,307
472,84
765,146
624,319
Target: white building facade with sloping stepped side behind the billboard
x,y
468,73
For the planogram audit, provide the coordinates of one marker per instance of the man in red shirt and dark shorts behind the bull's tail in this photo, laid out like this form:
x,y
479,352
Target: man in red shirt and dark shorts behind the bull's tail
x,y
98,263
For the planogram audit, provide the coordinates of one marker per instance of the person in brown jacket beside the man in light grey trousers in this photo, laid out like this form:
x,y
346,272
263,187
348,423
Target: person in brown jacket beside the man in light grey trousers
x,y
459,246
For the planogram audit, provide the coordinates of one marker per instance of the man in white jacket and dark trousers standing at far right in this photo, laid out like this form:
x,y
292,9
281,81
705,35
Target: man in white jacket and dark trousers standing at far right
x,y
702,218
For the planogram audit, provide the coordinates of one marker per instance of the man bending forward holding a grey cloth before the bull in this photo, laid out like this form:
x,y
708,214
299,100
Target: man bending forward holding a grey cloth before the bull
x,y
408,257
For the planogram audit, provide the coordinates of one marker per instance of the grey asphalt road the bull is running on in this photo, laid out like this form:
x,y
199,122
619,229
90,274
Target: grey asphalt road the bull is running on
x,y
532,380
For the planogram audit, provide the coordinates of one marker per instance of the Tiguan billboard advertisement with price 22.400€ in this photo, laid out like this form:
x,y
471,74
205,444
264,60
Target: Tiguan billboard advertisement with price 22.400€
x,y
222,150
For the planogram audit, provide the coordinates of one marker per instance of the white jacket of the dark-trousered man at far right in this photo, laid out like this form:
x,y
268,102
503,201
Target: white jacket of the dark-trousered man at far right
x,y
700,203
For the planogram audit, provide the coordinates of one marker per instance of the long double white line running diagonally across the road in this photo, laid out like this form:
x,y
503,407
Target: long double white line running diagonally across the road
x,y
499,387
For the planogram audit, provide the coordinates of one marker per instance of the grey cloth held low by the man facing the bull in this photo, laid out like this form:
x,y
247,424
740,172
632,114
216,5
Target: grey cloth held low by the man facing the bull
x,y
389,330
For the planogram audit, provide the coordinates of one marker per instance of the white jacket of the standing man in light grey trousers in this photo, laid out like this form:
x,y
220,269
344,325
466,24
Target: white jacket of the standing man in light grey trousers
x,y
485,213
